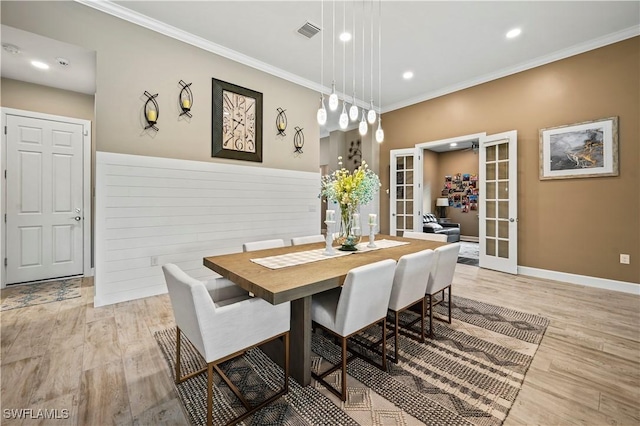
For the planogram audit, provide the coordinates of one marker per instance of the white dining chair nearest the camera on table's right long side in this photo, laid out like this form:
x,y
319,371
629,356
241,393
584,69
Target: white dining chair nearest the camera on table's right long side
x,y
361,302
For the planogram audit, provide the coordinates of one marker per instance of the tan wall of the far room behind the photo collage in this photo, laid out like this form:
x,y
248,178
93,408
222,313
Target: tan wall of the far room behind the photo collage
x,y
451,163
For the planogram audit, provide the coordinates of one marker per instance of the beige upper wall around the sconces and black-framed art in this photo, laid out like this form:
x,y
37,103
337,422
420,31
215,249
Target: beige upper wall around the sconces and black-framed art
x,y
131,59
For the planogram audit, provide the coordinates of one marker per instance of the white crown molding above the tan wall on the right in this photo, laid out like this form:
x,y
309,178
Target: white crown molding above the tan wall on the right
x,y
541,60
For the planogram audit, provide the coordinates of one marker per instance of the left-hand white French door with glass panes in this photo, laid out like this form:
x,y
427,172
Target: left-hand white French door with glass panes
x,y
404,211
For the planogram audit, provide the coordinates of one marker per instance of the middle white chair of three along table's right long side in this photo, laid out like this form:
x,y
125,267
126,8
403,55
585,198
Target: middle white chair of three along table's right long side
x,y
409,287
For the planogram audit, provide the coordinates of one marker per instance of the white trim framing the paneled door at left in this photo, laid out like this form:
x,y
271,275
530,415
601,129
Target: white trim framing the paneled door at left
x,y
86,184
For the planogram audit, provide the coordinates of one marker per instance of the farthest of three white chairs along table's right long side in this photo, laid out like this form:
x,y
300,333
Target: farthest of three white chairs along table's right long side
x,y
441,277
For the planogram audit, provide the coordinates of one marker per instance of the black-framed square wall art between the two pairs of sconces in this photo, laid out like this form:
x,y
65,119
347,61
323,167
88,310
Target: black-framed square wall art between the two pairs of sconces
x,y
236,122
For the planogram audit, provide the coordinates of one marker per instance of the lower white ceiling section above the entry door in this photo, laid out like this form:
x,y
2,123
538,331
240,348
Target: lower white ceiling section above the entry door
x,y
78,76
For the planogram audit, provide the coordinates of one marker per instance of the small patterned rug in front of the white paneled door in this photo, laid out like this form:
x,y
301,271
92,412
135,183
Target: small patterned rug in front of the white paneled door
x,y
37,294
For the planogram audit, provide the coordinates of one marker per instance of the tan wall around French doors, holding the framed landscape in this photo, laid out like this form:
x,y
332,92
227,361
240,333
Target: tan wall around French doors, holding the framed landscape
x,y
577,226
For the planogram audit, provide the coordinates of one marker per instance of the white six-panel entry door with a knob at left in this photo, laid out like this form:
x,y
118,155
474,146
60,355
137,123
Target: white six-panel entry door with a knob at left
x,y
44,199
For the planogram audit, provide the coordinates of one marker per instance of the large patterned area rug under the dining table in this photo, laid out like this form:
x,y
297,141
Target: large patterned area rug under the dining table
x,y
468,374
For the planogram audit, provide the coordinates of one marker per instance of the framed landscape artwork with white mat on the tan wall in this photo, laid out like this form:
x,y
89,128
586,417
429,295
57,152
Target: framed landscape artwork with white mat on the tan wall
x,y
588,149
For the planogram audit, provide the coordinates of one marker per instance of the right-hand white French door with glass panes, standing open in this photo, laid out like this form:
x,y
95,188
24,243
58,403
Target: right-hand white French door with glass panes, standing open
x,y
499,212
